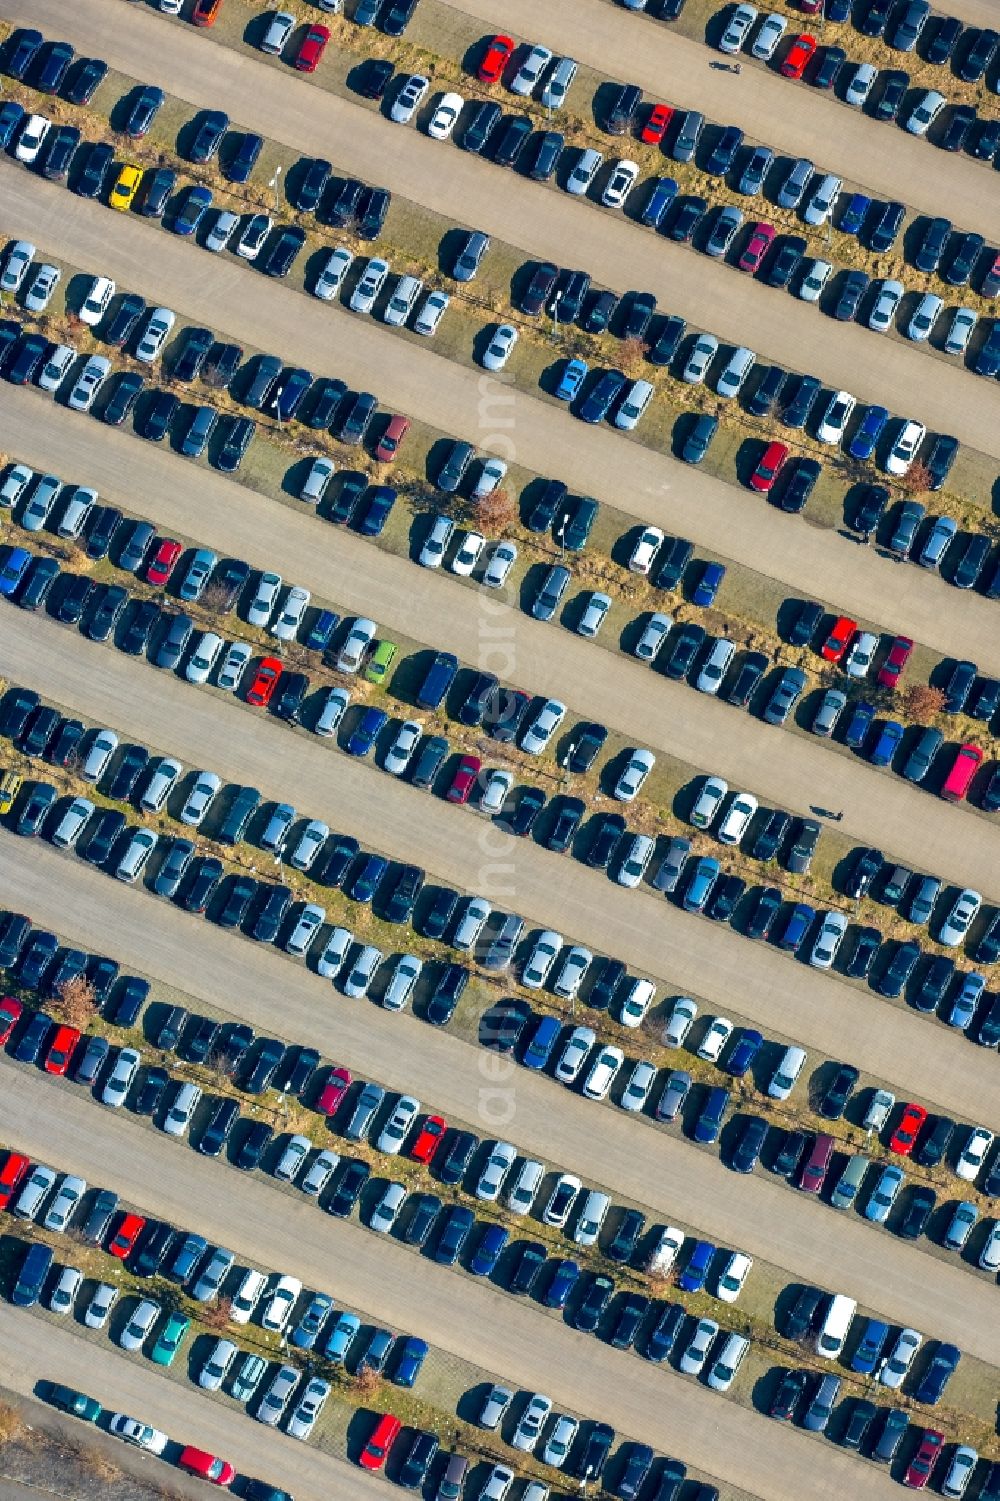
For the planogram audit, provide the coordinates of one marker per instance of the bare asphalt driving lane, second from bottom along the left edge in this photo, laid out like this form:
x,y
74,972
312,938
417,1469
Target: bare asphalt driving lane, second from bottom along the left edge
x,y
465,1317
